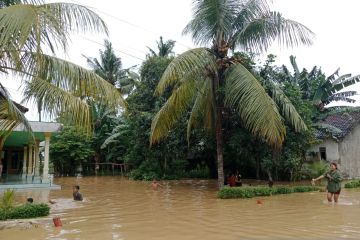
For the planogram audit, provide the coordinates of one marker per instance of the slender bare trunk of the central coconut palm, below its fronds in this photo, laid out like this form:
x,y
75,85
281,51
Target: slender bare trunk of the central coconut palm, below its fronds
x,y
219,147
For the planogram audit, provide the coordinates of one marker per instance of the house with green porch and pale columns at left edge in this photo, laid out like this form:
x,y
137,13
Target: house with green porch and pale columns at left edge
x,y
21,153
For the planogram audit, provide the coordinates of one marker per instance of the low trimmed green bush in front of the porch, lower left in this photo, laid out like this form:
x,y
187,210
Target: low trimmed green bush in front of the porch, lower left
x,y
25,211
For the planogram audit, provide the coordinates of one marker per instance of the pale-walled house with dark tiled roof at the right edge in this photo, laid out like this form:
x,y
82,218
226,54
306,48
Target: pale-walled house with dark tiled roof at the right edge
x,y
341,144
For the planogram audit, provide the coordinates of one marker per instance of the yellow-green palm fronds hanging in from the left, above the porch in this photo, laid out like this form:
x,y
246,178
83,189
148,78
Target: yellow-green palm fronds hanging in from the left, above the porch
x,y
28,32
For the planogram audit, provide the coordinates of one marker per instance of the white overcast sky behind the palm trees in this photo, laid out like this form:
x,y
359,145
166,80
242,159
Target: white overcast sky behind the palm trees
x,y
136,24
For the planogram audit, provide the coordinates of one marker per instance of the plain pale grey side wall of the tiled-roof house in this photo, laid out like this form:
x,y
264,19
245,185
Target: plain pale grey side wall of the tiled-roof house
x,y
349,149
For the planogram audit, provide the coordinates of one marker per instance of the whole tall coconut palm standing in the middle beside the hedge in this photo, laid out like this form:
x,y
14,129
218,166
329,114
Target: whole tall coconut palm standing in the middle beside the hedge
x,y
210,79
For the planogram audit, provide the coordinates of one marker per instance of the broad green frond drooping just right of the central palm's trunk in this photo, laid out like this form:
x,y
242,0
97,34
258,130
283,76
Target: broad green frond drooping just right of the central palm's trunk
x,y
257,110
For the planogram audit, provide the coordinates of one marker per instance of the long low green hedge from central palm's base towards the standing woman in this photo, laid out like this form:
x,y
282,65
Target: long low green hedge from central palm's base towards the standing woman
x,y
249,192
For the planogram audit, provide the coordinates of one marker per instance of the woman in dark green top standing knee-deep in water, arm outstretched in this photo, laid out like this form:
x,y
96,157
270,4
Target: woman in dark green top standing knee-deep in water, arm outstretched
x,y
334,182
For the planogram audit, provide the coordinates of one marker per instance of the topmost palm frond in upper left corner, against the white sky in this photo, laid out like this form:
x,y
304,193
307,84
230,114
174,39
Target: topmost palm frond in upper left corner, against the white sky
x,y
26,26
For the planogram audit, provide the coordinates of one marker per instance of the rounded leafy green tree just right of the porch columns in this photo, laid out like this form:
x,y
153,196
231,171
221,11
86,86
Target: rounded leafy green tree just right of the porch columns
x,y
70,149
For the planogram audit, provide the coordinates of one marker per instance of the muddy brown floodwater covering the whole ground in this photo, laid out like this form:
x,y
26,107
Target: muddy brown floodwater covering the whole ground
x,y
117,208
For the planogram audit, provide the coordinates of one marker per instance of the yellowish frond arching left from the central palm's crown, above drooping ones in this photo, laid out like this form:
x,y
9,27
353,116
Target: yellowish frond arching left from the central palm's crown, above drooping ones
x,y
198,59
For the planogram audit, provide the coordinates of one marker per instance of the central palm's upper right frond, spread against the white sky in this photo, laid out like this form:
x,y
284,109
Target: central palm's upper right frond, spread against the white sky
x,y
259,33
